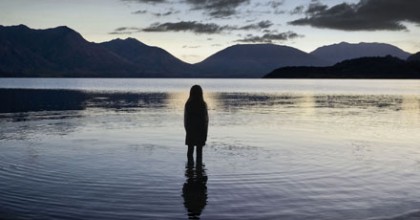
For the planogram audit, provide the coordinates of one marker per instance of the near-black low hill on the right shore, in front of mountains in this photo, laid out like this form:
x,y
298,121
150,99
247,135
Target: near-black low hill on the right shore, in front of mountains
x,y
361,68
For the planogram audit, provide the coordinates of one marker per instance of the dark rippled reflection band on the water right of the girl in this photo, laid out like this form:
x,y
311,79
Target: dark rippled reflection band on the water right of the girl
x,y
310,101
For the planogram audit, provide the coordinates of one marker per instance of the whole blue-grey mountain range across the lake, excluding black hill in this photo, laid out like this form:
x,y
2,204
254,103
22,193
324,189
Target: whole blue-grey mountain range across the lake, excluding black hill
x,y
62,52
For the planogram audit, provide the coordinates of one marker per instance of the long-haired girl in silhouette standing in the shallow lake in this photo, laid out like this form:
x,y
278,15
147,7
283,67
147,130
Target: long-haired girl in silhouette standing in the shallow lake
x,y
196,122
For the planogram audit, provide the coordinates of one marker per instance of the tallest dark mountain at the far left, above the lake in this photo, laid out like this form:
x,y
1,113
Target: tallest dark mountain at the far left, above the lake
x,y
56,52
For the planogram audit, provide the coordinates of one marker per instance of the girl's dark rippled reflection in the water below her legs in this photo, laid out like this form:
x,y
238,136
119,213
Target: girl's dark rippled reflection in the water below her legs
x,y
194,190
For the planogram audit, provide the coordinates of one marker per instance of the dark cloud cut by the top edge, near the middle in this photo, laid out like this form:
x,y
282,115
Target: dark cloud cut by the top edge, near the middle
x,y
217,8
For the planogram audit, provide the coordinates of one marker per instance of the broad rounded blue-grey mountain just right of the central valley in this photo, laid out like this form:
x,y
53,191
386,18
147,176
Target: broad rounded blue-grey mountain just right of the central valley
x,y
254,60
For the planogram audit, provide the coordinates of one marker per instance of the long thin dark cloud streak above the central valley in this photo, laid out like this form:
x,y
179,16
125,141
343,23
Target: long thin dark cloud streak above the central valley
x,y
204,28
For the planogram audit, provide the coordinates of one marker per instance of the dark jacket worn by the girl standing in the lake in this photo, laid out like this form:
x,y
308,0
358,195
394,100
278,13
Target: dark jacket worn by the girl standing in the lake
x,y
196,122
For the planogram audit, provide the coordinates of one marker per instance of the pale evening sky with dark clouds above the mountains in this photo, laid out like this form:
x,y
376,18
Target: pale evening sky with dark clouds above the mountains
x,y
192,30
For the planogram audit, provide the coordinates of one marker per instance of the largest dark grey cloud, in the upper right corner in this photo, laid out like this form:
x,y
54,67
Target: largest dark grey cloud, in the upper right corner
x,y
366,15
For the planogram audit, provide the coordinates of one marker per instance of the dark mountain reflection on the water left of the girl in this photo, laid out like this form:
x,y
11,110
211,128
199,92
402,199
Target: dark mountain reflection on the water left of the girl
x,y
34,100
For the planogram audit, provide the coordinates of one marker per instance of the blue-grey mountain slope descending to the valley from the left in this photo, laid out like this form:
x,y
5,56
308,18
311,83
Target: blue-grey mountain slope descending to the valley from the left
x,y
153,60
